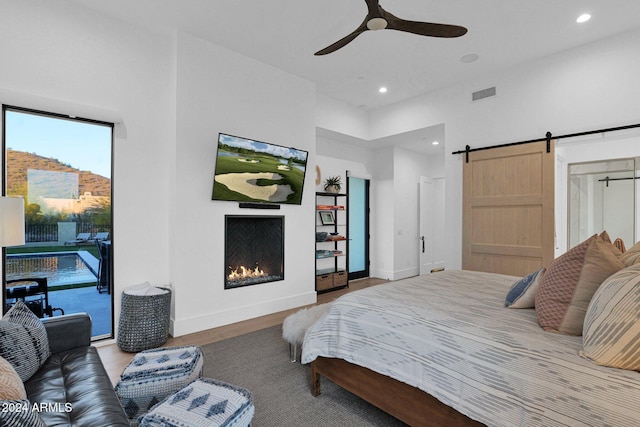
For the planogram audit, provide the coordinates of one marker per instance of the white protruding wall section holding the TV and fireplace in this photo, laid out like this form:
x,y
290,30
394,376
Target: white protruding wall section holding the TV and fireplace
x,y
221,91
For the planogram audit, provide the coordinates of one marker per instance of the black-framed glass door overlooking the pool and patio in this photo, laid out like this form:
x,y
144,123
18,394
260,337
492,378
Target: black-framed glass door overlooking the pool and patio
x,y
61,167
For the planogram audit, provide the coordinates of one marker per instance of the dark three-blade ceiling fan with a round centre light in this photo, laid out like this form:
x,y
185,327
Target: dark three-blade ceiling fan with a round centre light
x,y
379,19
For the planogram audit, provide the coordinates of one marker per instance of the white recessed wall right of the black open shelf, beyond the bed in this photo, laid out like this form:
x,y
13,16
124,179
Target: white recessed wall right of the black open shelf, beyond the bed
x,y
394,173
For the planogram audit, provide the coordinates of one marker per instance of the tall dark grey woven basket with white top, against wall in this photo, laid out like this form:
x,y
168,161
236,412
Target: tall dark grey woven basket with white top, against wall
x,y
144,318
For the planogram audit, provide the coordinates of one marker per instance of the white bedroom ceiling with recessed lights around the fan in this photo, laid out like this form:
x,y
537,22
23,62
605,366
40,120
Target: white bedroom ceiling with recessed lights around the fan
x,y
285,34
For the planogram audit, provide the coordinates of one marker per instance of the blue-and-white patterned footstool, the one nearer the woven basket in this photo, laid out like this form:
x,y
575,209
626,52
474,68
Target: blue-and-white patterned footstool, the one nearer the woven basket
x,y
154,374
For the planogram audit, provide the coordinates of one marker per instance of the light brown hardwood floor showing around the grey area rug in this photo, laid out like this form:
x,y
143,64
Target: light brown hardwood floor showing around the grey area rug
x,y
115,360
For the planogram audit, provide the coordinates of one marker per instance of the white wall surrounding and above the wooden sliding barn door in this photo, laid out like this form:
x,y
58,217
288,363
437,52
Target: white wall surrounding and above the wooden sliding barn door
x,y
590,87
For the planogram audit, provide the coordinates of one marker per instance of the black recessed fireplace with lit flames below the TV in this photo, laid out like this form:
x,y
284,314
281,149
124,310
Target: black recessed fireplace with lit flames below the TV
x,y
253,250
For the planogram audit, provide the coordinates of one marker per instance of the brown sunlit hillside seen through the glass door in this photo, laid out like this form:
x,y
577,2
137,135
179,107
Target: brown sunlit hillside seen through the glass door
x,y
19,162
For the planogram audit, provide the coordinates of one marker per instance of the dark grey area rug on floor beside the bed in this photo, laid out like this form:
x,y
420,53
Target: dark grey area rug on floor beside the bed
x,y
259,361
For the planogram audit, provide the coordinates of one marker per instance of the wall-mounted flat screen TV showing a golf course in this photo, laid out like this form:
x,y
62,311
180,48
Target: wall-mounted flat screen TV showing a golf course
x,y
257,172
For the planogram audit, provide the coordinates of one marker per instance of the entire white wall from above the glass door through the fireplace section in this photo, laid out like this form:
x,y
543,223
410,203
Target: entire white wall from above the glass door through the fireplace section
x,y
171,95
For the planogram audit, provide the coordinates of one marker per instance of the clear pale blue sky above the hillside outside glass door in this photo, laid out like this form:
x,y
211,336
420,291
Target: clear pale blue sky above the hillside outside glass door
x,y
81,145
